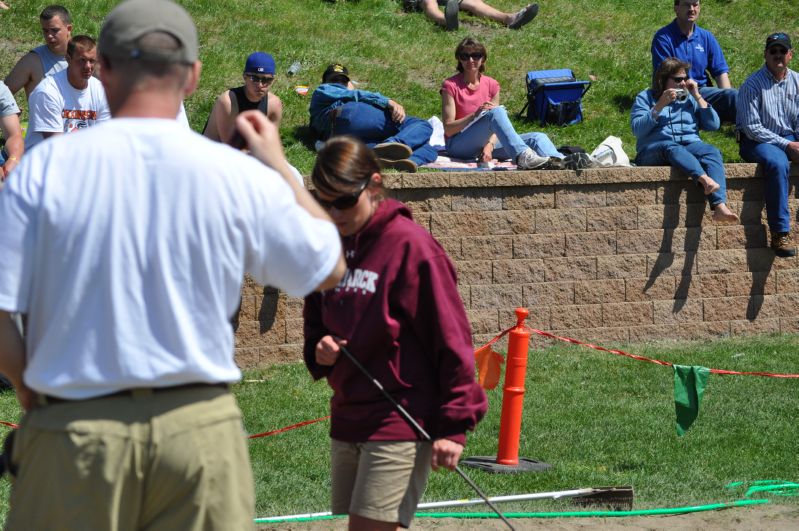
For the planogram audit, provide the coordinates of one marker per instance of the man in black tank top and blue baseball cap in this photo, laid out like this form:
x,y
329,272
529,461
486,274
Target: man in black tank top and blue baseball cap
x,y
259,74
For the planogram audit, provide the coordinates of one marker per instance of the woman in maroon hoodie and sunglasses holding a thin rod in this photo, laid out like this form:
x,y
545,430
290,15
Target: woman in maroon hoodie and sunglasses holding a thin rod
x,y
399,312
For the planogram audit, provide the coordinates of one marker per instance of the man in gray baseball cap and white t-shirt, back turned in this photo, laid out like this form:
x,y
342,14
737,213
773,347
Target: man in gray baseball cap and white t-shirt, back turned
x,y
127,252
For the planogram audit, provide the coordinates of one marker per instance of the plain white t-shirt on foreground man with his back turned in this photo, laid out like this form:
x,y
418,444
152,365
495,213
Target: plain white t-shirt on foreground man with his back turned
x,y
127,250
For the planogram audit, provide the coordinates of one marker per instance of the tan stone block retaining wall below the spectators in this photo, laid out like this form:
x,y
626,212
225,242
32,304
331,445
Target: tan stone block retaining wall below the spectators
x,y
608,255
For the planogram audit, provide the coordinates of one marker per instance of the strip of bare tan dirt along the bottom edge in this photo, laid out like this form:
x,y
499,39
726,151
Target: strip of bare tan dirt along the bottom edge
x,y
771,517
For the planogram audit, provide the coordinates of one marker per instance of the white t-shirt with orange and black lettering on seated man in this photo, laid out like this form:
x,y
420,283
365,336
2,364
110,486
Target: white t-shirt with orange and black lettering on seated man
x,y
58,107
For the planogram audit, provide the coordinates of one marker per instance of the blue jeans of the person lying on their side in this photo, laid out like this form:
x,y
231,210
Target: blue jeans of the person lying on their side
x,y
374,126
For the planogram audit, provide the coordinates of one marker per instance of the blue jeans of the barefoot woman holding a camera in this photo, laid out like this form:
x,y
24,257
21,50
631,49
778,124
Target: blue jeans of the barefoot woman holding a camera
x,y
695,159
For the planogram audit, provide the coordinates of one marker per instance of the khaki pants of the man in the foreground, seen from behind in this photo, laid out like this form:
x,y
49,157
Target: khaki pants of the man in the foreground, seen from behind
x,y
173,460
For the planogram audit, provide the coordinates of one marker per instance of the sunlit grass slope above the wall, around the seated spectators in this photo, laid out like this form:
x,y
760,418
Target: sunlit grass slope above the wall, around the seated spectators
x,y
406,57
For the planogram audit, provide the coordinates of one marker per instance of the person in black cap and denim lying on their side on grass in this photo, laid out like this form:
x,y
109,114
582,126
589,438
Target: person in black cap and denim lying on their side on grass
x,y
399,141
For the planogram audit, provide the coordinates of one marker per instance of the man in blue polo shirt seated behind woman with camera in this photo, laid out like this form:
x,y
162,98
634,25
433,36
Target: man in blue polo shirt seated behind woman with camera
x,y
686,41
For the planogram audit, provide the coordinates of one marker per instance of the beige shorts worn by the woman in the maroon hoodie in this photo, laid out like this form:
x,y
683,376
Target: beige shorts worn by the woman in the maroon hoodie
x,y
380,480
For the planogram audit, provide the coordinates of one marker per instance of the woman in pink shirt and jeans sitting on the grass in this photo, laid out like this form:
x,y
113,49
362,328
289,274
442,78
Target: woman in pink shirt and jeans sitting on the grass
x,y
476,125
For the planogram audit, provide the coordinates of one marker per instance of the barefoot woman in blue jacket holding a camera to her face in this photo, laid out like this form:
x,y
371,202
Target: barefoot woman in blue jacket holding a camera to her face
x,y
666,120
